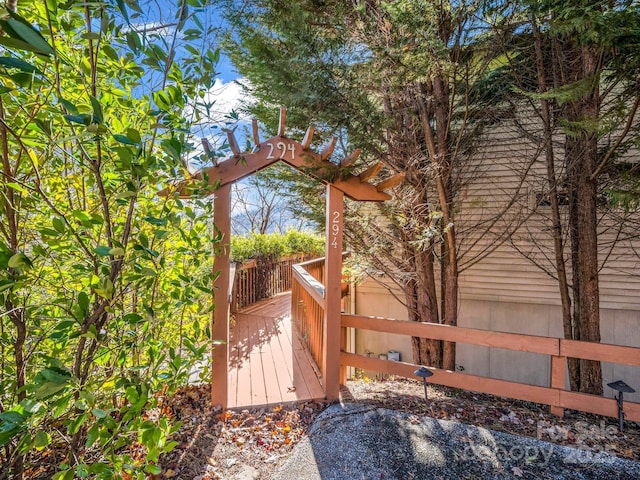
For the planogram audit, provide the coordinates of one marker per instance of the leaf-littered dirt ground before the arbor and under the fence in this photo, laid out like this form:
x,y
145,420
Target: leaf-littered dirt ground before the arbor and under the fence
x,y
251,444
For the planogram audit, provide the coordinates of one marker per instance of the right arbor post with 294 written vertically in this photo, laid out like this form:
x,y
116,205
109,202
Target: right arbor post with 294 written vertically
x,y
332,292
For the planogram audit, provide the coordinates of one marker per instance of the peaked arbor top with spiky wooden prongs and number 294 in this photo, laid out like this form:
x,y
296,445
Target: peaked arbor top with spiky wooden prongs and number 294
x,y
299,156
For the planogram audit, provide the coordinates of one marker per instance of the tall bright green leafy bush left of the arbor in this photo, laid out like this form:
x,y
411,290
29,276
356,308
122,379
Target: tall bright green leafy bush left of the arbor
x,y
104,286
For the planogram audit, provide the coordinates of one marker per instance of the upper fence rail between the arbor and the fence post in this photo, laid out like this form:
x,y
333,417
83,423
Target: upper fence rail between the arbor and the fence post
x,y
487,338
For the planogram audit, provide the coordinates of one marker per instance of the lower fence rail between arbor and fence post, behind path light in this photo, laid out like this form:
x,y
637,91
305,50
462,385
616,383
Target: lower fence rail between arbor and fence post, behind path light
x,y
501,388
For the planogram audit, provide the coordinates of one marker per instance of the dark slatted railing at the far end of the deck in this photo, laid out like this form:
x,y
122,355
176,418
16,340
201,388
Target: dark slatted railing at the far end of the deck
x,y
254,281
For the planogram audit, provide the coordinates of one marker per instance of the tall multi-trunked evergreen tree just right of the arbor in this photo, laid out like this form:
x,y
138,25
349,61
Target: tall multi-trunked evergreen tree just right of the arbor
x,y
403,81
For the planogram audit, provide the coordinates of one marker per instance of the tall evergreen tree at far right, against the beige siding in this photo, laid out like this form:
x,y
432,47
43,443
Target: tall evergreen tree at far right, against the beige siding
x,y
584,89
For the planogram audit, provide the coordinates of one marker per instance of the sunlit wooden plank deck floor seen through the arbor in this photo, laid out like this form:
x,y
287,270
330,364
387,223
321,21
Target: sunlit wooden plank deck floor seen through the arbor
x,y
268,363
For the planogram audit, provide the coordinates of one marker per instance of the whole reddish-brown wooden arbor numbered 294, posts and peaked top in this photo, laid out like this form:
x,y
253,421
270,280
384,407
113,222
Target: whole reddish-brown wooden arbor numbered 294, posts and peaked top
x,y
339,183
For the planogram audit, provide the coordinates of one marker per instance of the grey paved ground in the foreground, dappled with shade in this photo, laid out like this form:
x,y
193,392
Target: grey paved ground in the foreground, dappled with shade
x,y
363,441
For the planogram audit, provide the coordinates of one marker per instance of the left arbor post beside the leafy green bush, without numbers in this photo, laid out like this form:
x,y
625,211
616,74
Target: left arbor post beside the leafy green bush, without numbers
x,y
220,326
